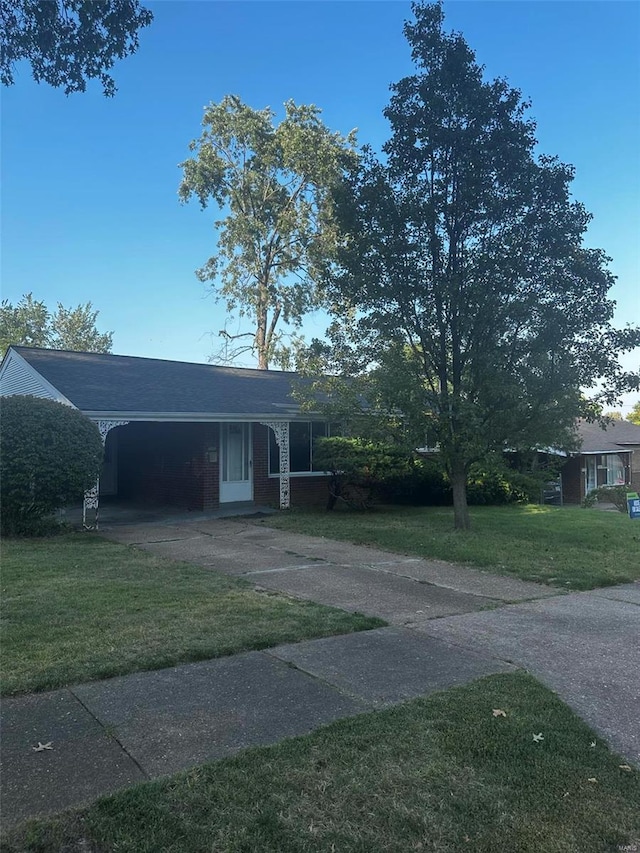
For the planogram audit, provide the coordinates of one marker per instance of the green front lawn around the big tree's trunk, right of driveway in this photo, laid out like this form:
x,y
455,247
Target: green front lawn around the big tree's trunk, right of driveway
x,y
567,547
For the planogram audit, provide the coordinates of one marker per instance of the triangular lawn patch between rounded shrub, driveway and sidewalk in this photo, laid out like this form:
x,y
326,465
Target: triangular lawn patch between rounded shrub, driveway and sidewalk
x,y
78,608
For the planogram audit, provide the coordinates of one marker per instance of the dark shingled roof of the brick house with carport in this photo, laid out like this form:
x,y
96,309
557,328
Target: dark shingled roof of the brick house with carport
x,y
99,383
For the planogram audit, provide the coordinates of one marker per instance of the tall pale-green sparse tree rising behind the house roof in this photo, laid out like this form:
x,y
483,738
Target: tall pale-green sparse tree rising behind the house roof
x,y
274,184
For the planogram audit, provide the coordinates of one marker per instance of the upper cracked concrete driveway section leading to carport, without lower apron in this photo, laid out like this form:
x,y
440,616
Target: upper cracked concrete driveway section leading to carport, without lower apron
x,y
405,591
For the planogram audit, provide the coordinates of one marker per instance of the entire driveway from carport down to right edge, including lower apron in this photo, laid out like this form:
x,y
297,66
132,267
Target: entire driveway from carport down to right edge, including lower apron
x,y
586,646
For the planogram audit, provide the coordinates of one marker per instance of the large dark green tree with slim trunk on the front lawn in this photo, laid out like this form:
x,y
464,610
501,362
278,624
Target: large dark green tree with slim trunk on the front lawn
x,y
464,280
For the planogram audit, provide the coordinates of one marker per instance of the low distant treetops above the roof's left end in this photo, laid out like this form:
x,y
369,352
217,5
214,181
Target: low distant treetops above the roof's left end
x,y
30,323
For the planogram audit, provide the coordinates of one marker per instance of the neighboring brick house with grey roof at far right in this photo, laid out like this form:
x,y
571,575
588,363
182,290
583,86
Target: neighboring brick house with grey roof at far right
x,y
607,457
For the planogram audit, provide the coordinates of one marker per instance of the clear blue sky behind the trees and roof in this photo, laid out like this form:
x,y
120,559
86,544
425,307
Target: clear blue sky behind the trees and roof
x,y
89,204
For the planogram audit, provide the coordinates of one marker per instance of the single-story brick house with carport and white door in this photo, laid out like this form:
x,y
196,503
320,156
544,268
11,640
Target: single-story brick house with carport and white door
x,y
194,436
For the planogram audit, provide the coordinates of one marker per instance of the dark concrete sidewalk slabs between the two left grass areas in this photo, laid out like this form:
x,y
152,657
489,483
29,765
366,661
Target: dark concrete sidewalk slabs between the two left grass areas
x,y
107,735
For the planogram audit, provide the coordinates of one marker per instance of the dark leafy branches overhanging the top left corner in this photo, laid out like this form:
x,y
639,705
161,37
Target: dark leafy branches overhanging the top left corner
x,y
68,42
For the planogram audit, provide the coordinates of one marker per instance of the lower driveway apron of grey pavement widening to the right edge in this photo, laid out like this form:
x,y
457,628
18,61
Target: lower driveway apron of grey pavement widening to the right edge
x,y
585,646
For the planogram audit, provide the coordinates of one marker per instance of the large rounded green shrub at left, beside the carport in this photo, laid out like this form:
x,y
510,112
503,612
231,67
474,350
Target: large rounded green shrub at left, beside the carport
x,y
49,454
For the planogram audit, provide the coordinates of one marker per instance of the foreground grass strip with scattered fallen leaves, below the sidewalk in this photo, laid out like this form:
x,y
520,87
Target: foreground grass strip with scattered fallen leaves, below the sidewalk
x,y
440,774
